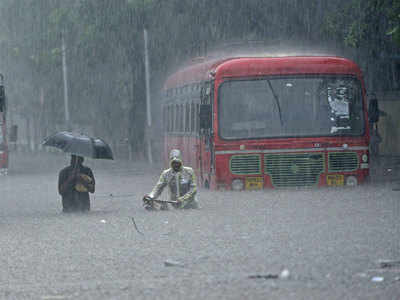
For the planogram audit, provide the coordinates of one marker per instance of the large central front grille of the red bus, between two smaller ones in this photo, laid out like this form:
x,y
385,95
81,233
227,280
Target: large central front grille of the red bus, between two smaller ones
x,y
294,170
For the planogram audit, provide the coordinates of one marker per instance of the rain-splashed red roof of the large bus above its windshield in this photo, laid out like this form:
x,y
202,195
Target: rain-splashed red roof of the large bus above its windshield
x,y
261,66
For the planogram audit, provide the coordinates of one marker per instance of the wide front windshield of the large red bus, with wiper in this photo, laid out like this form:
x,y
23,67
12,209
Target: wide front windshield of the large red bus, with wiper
x,y
296,106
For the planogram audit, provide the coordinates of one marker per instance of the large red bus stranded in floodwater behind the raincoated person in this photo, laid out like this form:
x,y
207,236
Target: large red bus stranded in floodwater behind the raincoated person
x,y
248,123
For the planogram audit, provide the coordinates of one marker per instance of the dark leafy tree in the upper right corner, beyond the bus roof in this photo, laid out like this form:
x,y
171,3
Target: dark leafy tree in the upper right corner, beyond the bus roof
x,y
368,26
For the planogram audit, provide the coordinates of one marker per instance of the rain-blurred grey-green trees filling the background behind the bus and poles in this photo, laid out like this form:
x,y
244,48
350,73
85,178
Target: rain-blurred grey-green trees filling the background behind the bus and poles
x,y
105,55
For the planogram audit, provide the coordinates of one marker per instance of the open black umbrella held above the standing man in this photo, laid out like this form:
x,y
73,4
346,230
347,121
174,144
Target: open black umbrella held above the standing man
x,y
79,144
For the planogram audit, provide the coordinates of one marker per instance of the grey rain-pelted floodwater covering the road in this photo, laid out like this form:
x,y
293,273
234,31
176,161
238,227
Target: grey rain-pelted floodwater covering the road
x,y
328,241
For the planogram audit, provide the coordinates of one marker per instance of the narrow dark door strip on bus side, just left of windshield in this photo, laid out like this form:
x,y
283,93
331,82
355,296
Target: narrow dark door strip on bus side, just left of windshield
x,y
205,148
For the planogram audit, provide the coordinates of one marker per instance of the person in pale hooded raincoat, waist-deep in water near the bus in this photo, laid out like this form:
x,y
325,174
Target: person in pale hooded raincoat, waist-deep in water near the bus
x,y
181,181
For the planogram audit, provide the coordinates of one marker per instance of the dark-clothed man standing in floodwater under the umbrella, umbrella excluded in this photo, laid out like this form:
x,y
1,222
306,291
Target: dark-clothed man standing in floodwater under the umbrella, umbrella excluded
x,y
74,184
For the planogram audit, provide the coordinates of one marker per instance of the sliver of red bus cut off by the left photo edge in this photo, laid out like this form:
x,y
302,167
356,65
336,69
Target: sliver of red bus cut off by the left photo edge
x,y
3,130
